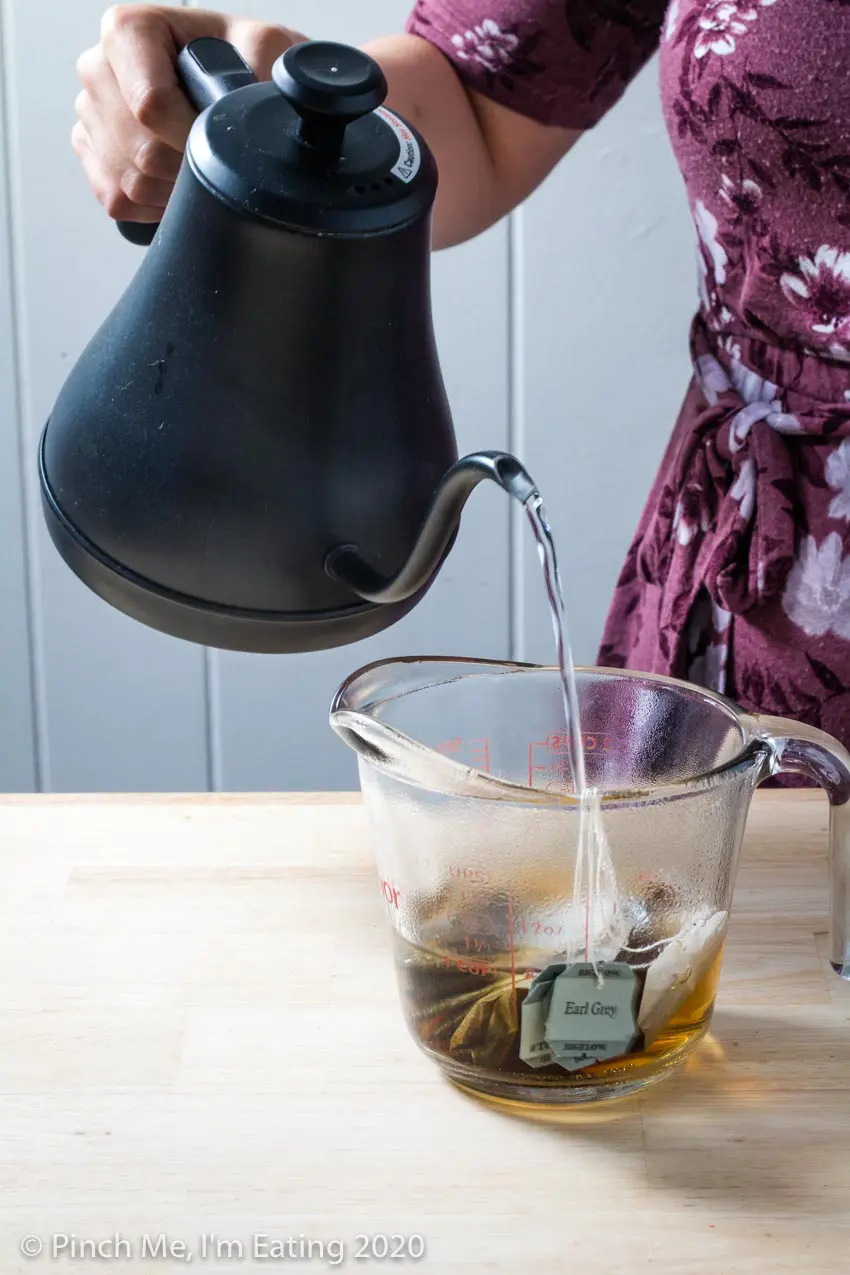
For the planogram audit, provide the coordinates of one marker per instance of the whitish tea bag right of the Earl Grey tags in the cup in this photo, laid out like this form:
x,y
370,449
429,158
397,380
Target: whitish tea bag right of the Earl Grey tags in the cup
x,y
675,975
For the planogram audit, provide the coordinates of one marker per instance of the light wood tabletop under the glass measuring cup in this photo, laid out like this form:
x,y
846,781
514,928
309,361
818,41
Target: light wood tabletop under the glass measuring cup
x,y
199,1035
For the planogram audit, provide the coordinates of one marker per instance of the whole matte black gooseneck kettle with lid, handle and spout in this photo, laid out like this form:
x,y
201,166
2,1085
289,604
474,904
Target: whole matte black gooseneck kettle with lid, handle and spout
x,y
256,452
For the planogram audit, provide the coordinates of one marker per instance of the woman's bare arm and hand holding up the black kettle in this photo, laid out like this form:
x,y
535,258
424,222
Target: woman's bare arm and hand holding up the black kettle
x,y
134,120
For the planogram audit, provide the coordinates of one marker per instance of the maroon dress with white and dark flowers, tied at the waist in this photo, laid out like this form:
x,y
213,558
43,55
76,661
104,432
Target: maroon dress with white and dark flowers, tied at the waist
x,y
738,577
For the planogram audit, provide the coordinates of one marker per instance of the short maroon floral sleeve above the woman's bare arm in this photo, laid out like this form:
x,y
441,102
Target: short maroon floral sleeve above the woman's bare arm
x,y
560,62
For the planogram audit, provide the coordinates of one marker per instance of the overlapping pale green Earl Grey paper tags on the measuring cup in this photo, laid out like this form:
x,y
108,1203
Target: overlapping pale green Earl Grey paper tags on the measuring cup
x,y
577,1016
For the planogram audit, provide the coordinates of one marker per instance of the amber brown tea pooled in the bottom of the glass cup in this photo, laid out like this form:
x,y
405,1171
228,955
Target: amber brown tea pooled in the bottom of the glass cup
x,y
466,1010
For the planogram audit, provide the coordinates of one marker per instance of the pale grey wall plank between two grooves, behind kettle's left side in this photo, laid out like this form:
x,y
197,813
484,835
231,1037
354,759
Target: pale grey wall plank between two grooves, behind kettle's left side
x,y
117,707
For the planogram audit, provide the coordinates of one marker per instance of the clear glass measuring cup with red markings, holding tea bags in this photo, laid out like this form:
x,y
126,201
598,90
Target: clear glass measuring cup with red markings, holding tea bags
x,y
466,777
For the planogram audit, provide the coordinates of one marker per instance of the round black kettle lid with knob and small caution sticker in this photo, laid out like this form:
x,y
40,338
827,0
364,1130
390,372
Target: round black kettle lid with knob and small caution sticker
x,y
315,150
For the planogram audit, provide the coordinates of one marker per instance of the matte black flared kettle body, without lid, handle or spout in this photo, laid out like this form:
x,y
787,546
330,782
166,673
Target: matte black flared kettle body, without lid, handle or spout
x,y
257,398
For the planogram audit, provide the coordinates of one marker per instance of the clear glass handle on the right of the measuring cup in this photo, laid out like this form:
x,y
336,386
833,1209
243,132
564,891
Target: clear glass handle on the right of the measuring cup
x,y
803,750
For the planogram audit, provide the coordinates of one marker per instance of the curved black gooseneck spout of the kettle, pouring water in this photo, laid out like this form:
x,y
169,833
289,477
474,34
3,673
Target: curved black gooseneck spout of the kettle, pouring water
x,y
346,564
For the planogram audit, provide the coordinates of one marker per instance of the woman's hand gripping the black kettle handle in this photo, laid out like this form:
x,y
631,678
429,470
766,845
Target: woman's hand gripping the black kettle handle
x,y
133,115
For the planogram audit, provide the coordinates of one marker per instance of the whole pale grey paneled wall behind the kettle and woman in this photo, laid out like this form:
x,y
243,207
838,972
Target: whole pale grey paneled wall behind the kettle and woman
x,y
563,335
